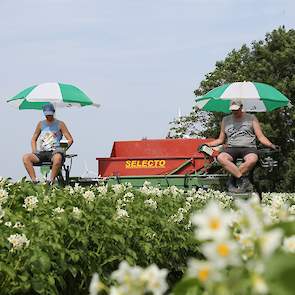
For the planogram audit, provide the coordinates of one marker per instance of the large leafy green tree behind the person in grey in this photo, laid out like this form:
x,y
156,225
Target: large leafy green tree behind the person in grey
x,y
270,61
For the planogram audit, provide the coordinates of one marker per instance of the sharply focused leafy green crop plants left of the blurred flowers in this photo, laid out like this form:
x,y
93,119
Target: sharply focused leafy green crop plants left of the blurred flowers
x,y
66,249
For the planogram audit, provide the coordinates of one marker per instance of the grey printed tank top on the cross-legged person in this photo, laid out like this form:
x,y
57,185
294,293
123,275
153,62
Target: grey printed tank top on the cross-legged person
x,y
240,133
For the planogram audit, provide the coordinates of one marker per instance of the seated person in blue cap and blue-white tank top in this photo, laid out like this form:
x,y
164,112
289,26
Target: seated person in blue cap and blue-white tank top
x,y
49,132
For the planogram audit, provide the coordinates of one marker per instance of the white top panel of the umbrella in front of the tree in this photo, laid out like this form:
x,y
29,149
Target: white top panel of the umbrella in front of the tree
x,y
240,90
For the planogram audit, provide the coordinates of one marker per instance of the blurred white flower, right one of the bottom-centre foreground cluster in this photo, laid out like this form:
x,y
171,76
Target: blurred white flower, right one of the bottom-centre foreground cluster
x,y
155,279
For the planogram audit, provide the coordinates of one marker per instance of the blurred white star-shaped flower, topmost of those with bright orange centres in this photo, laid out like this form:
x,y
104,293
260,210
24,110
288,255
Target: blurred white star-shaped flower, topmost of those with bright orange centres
x,y
213,222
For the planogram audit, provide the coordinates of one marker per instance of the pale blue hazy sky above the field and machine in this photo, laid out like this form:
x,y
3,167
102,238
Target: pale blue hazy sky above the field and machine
x,y
140,59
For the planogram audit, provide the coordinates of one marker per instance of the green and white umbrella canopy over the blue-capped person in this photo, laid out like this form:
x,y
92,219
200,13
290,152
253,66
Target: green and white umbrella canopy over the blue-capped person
x,y
61,95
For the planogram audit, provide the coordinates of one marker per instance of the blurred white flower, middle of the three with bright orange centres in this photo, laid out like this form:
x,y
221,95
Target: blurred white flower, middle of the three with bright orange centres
x,y
222,253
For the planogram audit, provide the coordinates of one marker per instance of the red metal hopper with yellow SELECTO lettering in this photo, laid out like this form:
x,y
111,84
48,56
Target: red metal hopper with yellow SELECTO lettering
x,y
154,157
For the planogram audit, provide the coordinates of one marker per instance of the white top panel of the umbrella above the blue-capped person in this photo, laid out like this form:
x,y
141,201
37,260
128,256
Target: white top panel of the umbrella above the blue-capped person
x,y
50,91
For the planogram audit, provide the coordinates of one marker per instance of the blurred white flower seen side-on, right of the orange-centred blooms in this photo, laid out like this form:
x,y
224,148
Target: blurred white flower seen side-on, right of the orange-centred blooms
x,y
270,241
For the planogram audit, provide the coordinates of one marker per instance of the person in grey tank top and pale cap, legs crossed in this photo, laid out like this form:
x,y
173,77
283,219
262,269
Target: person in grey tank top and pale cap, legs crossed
x,y
238,133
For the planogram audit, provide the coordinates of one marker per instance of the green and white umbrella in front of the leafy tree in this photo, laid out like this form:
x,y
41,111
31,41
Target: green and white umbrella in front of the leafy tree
x,y
256,97
